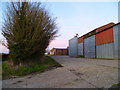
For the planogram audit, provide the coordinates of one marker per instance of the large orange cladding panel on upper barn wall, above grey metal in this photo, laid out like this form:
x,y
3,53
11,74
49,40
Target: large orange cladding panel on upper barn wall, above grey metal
x,y
105,37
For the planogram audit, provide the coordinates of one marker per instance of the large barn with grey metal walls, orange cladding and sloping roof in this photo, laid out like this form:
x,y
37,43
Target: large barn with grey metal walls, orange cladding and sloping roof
x,y
101,42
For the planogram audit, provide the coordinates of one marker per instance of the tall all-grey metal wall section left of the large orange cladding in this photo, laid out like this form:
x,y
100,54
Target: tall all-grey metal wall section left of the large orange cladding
x,y
89,47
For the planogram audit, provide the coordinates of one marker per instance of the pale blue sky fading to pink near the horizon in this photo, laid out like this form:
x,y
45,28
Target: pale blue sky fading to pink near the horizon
x,y
76,17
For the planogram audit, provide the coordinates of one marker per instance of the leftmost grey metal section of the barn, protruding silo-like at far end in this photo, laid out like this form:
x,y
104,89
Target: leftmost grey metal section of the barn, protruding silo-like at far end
x,y
73,47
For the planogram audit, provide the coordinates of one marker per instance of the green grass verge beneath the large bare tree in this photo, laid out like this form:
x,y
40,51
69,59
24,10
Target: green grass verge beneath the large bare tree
x,y
9,72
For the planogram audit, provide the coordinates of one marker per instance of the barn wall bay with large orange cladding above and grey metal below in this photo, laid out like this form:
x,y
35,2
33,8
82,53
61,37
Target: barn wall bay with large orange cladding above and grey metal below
x,y
104,44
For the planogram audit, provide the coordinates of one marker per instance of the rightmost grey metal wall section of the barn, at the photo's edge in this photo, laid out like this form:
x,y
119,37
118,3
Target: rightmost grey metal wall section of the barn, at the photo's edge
x,y
116,40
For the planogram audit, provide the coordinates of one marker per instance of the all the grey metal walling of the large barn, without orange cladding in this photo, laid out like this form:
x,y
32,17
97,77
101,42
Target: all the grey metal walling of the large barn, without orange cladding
x,y
90,50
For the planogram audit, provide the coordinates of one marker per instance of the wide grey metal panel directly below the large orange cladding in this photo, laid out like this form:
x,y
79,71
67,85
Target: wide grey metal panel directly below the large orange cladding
x,y
105,50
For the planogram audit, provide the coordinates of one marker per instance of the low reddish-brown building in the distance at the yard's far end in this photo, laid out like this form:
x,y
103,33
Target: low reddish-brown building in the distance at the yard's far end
x,y
58,51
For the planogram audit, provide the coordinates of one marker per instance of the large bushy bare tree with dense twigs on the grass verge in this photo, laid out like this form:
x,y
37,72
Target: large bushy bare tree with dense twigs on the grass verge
x,y
28,29
